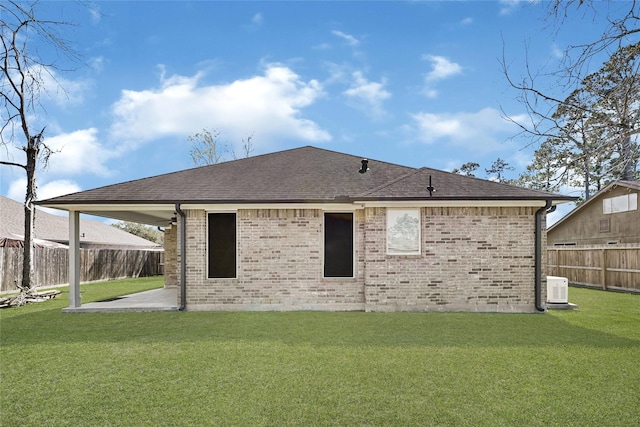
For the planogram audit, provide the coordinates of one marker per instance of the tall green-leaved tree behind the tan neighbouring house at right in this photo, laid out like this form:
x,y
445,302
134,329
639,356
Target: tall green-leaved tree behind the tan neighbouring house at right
x,y
595,130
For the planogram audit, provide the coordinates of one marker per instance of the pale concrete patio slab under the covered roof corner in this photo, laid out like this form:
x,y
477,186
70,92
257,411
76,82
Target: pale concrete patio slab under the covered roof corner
x,y
163,299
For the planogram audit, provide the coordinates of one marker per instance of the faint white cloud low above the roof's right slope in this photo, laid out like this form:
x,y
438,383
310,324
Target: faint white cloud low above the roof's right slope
x,y
480,132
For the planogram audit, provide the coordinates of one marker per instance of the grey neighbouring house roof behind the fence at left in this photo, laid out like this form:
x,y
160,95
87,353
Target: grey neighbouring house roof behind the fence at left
x,y
56,228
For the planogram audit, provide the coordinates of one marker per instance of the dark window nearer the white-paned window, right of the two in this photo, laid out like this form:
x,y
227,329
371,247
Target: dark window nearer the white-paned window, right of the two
x,y
338,245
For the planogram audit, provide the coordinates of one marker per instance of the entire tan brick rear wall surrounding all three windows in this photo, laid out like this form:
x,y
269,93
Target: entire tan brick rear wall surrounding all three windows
x,y
472,259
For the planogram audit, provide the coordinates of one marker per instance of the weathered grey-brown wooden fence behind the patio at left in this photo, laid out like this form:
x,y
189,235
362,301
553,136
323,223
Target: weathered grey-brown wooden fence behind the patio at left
x,y
52,265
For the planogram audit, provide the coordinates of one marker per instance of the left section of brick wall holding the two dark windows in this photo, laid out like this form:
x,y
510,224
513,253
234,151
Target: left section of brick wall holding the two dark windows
x,y
280,254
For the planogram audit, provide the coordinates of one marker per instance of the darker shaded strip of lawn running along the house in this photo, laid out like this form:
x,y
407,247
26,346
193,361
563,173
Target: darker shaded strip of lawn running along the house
x,y
308,328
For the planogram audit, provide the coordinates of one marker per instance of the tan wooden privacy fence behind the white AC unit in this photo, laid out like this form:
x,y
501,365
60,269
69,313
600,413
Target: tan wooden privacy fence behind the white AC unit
x,y
605,267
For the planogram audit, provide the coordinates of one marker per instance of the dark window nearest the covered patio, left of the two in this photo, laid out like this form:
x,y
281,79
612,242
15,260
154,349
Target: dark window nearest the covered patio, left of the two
x,y
222,245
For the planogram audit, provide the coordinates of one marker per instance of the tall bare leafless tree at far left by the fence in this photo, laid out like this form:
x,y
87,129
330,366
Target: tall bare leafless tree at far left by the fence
x,y
25,39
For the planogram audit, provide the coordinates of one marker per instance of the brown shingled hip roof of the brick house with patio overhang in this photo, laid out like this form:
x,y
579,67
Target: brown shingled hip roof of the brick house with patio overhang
x,y
301,175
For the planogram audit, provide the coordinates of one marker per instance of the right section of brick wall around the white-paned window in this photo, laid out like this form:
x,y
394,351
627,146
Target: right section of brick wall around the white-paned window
x,y
473,259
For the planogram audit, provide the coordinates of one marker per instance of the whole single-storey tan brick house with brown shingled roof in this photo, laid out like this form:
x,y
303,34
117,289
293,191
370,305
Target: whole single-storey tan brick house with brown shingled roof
x,y
312,229
